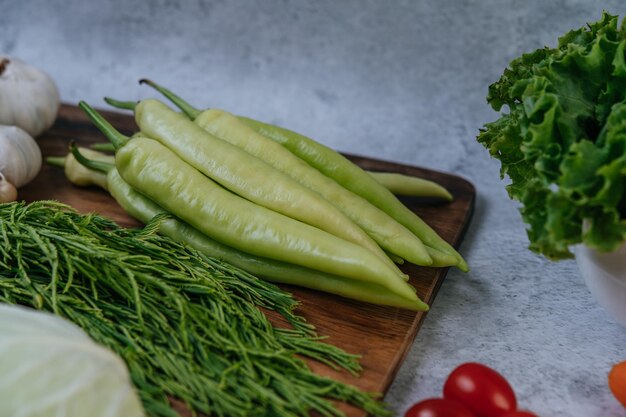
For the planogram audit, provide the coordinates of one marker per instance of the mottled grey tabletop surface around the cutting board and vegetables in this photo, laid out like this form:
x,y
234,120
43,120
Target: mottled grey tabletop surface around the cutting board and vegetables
x,y
403,81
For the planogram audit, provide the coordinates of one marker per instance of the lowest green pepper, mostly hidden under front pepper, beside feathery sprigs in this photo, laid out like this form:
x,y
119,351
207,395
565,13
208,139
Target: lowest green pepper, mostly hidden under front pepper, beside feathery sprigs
x,y
144,210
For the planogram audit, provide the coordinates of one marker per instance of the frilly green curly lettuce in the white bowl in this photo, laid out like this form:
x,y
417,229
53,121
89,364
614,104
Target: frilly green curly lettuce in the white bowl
x,y
562,142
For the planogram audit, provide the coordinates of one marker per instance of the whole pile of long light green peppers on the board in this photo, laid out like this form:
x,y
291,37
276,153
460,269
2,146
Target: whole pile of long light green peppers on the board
x,y
268,200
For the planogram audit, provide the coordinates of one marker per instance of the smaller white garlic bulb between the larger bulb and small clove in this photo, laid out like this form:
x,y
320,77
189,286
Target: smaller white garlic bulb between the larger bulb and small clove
x,y
20,156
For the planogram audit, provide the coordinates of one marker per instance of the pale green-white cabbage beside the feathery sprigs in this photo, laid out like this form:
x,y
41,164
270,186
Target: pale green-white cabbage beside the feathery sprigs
x,y
51,368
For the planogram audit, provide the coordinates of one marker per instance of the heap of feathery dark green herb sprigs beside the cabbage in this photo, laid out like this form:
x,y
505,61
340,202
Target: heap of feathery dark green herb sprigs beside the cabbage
x,y
187,326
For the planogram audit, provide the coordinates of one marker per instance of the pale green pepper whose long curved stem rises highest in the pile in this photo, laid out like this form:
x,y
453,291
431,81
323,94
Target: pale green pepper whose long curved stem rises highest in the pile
x,y
389,234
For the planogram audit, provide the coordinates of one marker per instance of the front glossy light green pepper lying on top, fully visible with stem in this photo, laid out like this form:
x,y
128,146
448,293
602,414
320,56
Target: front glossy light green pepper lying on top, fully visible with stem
x,y
159,174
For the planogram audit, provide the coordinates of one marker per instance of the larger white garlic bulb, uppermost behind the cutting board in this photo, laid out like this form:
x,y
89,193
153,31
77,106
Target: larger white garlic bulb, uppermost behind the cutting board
x,y
29,98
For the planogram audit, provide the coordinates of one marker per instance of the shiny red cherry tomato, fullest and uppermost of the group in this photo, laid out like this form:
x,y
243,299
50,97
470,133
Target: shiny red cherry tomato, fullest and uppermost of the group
x,y
481,389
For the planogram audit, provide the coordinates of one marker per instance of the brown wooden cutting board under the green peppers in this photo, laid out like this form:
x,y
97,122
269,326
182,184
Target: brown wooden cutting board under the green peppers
x,y
381,335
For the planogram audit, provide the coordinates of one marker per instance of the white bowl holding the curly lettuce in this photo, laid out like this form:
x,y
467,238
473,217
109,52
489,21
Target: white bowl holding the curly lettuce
x,y
605,276
